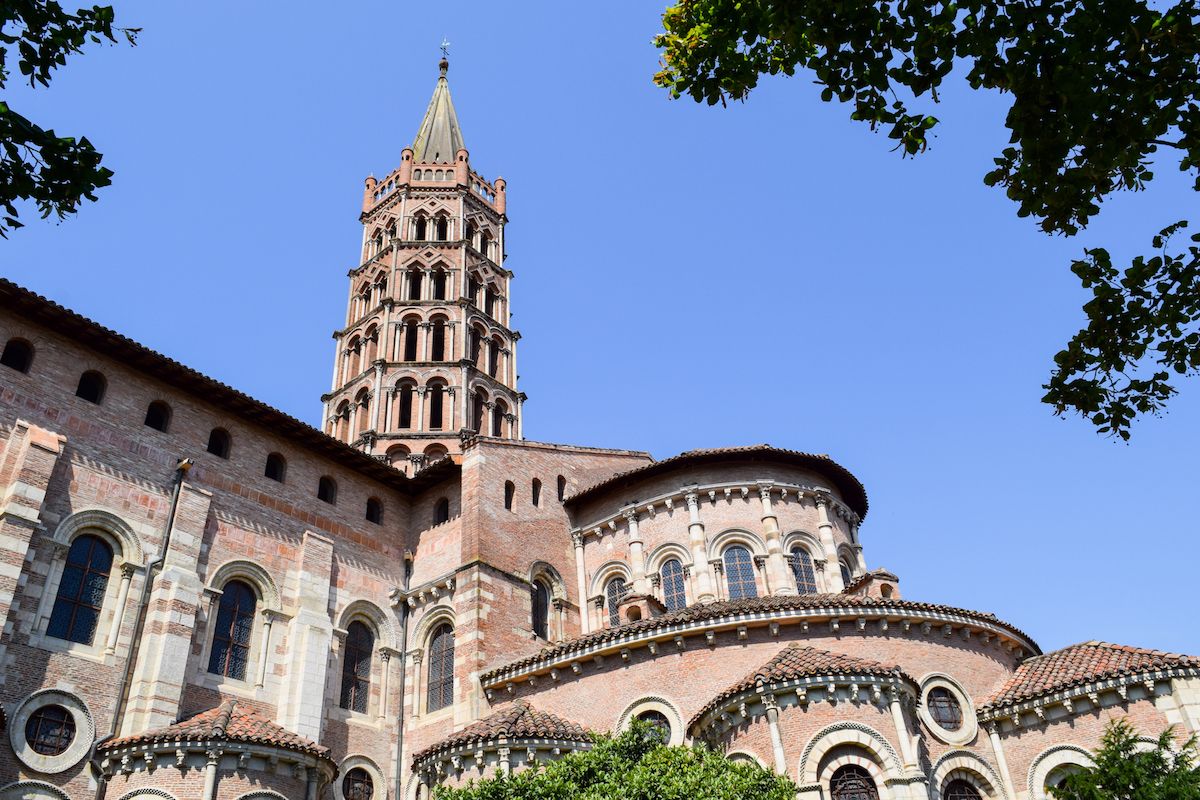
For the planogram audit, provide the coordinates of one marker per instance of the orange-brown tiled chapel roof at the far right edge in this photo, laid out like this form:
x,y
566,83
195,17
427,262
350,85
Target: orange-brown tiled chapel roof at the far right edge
x,y
1079,665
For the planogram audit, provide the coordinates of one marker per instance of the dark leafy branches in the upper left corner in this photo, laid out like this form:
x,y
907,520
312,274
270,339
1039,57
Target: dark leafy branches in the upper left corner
x,y
57,173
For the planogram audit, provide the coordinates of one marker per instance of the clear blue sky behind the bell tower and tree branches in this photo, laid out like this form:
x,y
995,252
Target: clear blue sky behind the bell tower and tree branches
x,y
687,276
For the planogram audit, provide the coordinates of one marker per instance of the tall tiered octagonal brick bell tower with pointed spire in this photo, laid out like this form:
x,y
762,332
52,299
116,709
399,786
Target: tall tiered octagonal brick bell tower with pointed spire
x,y
428,357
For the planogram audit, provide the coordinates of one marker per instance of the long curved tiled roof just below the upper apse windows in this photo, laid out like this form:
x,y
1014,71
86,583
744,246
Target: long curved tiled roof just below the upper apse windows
x,y
733,609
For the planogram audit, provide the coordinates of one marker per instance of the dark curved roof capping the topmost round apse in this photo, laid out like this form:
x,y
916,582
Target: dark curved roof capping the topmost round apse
x,y
851,489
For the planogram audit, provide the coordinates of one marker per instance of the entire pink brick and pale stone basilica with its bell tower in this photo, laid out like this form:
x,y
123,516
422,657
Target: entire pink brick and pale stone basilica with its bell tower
x,y
206,599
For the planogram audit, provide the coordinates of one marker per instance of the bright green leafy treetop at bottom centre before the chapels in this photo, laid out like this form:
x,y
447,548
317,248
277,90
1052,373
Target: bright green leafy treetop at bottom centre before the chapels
x,y
633,766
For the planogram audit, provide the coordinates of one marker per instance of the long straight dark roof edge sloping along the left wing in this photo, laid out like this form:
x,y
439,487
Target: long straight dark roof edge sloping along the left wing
x,y
137,357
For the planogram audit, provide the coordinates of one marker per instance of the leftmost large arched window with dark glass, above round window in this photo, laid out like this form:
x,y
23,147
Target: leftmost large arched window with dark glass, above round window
x,y
82,590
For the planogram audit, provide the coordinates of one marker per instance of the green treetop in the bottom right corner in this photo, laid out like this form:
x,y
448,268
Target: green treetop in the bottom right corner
x,y
1123,771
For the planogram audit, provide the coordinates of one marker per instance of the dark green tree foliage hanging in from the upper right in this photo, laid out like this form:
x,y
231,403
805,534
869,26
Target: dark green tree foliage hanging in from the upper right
x,y
1101,91
